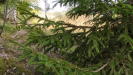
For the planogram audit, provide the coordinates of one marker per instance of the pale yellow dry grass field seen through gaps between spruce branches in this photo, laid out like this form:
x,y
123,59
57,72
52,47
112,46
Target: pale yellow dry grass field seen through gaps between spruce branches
x,y
60,16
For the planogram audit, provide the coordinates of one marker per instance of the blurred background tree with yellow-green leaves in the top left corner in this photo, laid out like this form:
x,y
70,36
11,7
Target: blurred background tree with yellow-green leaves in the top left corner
x,y
11,10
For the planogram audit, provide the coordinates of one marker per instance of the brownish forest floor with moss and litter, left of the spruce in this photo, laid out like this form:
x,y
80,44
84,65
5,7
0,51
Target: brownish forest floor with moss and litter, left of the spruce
x,y
9,55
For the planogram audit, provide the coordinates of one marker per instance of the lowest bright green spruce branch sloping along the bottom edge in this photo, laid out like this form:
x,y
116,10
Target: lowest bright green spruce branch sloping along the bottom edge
x,y
45,65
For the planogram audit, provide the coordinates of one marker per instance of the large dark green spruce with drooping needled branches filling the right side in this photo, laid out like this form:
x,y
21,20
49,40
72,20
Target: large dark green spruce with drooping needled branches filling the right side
x,y
109,41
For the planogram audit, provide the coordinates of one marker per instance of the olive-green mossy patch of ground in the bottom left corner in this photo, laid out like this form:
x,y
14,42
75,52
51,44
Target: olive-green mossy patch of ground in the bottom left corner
x,y
12,67
